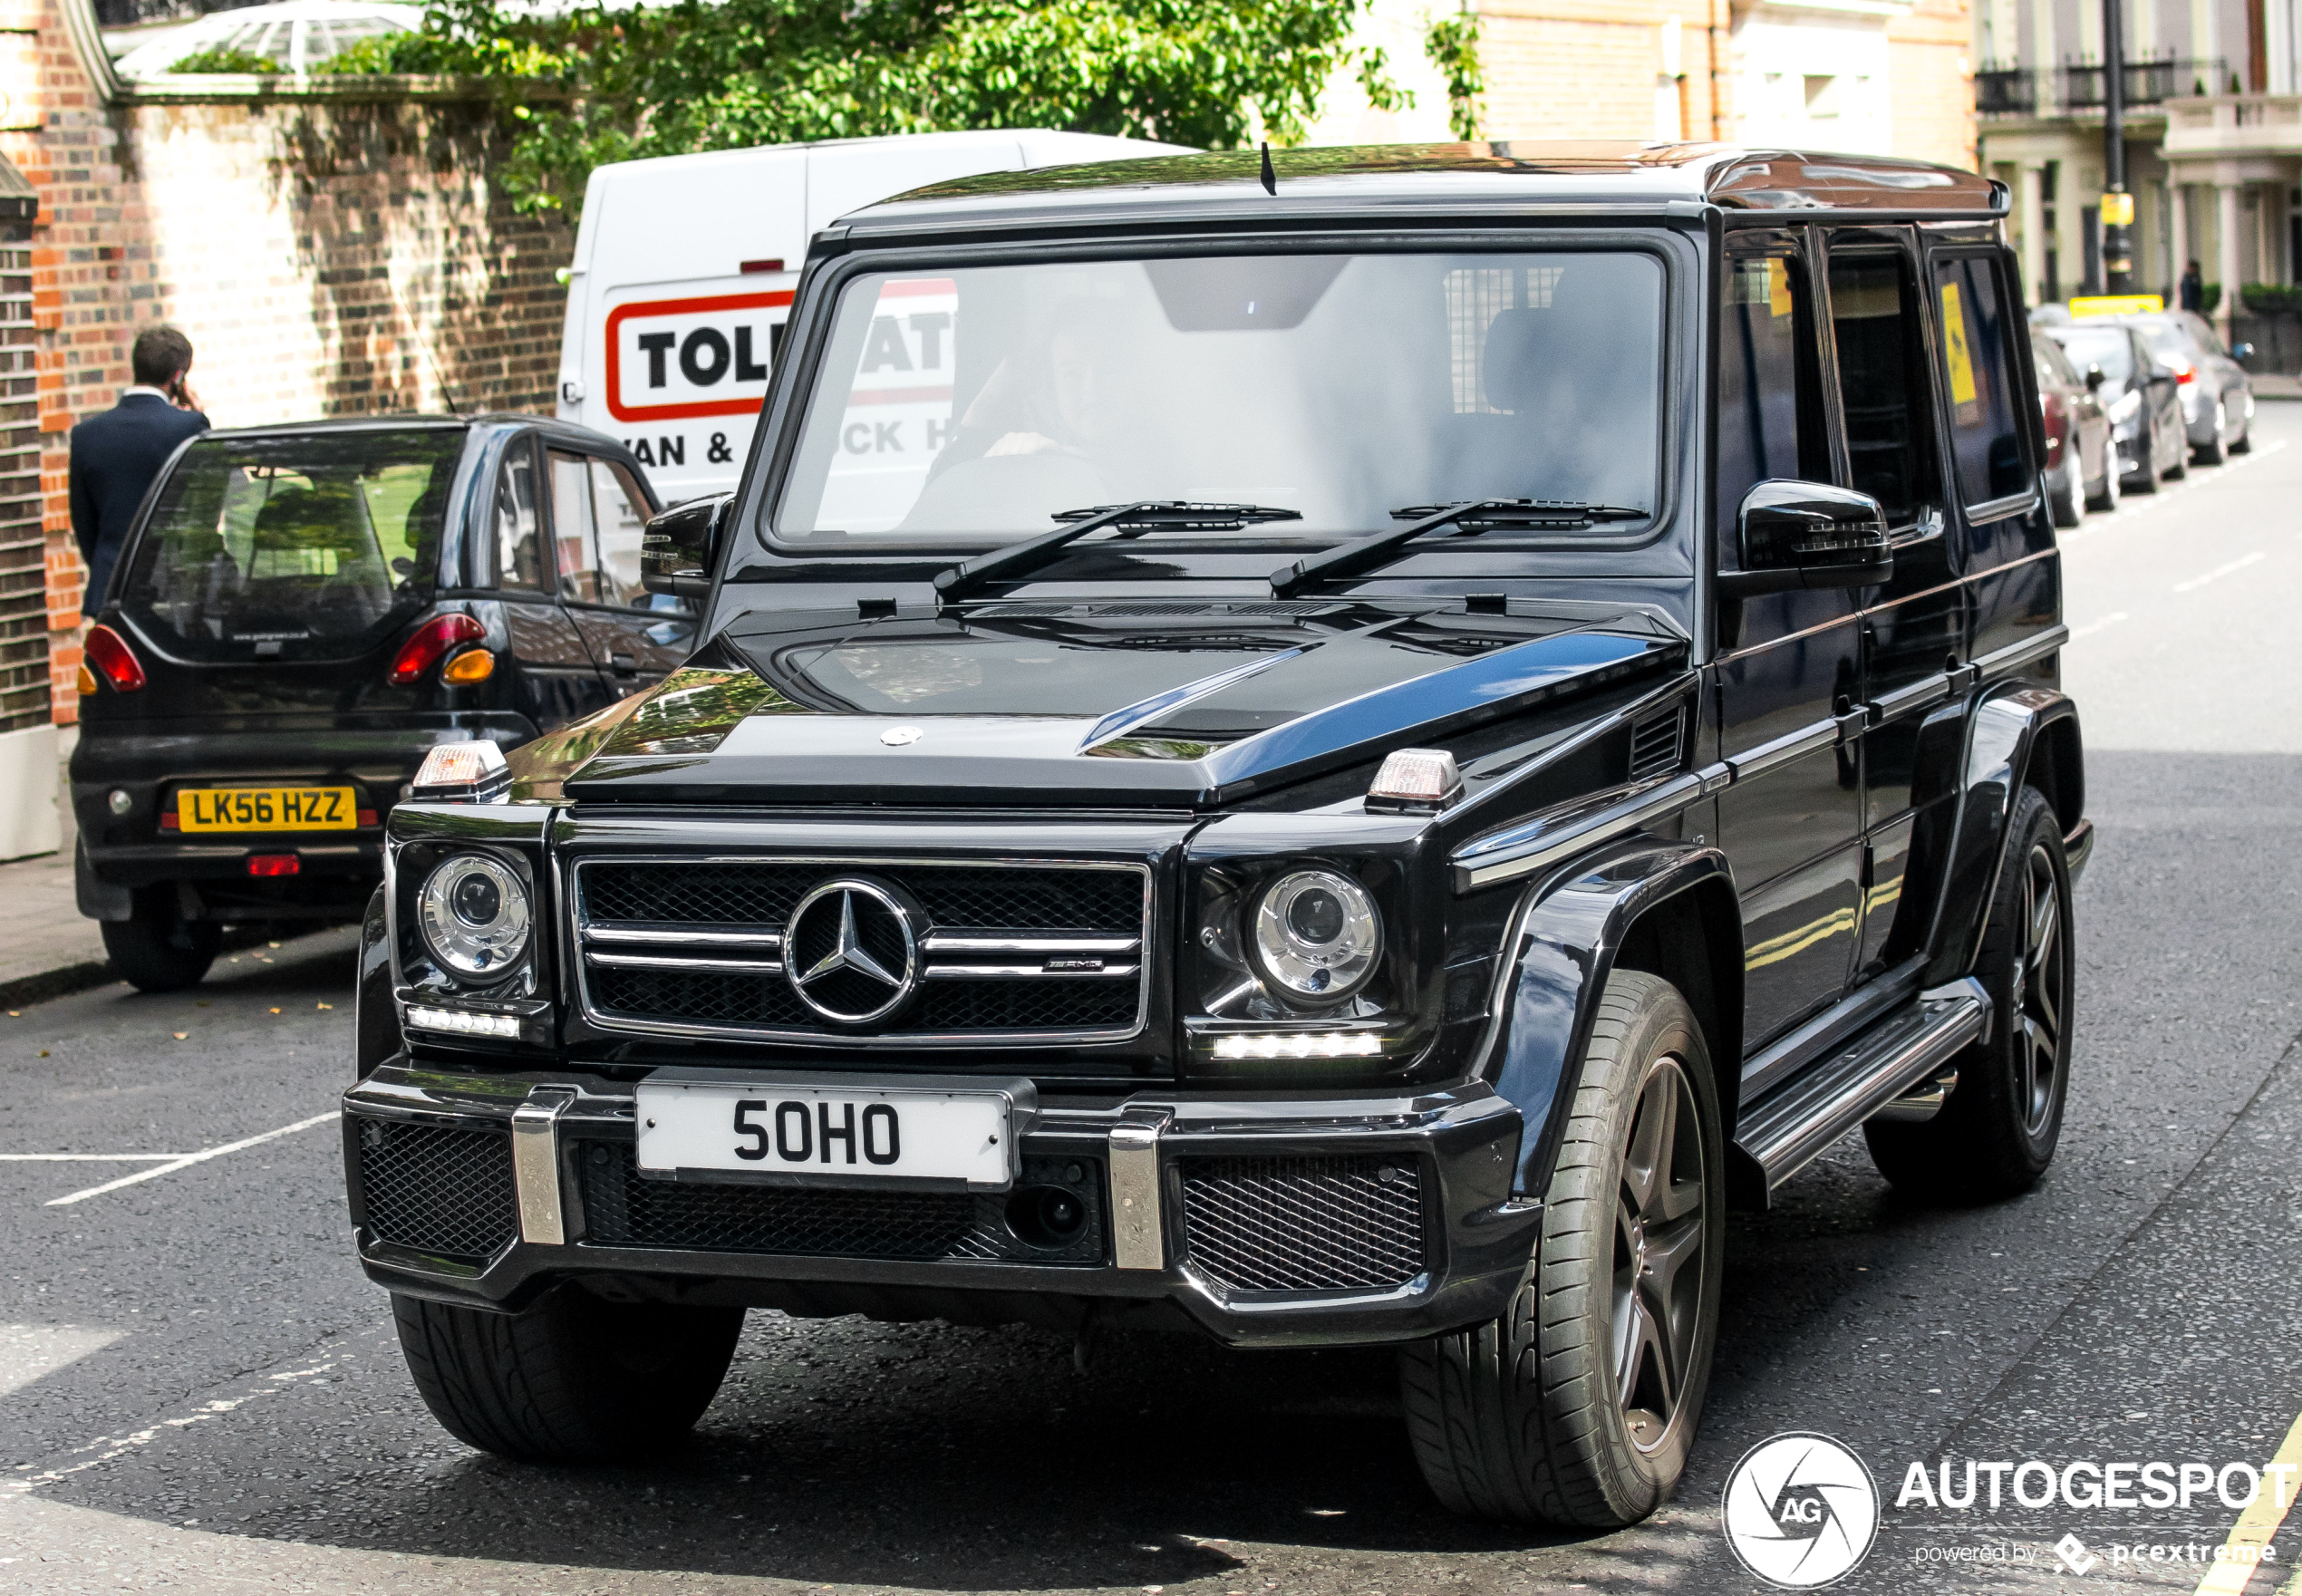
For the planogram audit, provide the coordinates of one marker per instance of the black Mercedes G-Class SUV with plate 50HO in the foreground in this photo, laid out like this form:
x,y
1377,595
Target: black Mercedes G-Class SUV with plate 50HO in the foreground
x,y
1332,766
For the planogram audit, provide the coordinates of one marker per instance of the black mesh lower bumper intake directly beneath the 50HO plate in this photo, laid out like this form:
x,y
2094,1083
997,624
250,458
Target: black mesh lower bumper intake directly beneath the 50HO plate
x,y
828,1222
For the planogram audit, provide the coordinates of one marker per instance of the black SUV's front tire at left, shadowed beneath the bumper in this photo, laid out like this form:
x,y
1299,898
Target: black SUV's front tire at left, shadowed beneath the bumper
x,y
572,1381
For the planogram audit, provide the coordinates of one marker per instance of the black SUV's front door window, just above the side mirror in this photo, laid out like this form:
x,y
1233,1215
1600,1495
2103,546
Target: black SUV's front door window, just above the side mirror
x,y
1769,413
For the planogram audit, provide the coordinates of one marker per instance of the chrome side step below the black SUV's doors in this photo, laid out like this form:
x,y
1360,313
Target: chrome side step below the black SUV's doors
x,y
1790,1127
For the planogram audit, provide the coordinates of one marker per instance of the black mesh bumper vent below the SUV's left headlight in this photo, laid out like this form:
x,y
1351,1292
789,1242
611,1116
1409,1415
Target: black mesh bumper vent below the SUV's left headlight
x,y
439,1190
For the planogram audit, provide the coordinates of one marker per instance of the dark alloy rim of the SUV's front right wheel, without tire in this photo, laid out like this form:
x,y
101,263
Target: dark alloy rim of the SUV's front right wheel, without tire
x,y
1659,1254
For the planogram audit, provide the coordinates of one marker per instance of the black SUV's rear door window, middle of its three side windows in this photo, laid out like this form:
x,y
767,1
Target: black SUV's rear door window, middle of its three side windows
x,y
1882,383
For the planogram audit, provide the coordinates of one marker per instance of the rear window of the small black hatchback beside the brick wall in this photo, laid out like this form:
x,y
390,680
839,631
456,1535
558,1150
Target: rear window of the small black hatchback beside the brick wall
x,y
294,547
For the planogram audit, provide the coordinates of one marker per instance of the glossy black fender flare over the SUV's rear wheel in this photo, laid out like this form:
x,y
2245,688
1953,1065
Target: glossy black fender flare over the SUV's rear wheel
x,y
2004,736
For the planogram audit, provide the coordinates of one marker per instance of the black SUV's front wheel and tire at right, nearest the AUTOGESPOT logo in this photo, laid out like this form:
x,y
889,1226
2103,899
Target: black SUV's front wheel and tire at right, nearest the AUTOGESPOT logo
x,y
1525,1420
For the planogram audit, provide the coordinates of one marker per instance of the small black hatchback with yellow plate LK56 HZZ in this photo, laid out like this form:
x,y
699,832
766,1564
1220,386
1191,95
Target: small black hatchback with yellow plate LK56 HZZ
x,y
300,616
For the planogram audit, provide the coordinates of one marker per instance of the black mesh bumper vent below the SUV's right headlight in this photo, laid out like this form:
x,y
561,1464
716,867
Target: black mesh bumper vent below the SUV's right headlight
x,y
1304,1224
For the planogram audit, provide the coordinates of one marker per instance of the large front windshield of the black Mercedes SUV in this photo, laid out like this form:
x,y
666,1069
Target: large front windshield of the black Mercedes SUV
x,y
1343,388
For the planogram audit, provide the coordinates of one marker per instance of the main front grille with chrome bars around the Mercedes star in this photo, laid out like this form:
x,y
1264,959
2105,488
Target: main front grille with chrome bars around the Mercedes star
x,y
1003,952
